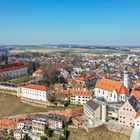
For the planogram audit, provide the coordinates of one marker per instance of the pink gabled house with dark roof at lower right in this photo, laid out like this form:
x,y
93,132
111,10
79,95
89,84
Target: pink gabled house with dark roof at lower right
x,y
128,111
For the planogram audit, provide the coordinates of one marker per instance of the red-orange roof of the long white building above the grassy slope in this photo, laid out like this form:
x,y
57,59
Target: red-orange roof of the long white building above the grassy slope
x,y
37,87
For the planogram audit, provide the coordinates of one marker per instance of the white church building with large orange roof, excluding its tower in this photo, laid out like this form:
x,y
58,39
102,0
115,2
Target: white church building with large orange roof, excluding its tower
x,y
111,91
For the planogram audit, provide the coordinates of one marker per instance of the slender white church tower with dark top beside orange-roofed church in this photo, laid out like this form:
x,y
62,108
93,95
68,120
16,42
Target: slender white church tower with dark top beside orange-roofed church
x,y
126,79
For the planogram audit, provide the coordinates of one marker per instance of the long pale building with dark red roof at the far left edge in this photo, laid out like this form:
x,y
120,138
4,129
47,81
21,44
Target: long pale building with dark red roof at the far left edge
x,y
14,70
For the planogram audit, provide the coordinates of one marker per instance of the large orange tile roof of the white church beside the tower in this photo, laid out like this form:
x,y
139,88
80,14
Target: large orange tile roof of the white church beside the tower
x,y
110,85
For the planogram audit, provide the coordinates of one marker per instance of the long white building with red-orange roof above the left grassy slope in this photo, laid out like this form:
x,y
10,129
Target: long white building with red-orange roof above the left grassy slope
x,y
36,92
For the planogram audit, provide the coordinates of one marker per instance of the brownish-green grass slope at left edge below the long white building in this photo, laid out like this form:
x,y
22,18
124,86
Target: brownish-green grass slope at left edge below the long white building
x,y
10,105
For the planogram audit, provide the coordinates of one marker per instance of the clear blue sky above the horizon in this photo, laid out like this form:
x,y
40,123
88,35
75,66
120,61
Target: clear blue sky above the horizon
x,y
89,22
